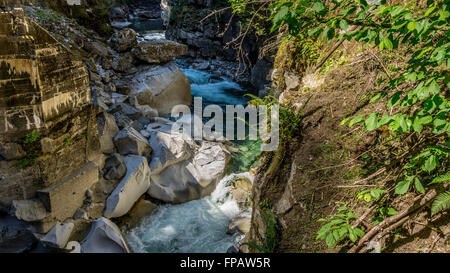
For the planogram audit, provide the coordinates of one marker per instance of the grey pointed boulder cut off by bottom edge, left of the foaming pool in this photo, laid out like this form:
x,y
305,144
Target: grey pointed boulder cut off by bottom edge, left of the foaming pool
x,y
104,237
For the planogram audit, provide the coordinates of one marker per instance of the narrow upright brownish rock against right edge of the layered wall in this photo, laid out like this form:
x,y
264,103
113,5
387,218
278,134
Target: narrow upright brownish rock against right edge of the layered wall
x,y
107,129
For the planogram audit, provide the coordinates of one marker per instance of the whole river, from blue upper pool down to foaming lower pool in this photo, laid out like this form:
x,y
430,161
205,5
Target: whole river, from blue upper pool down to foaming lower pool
x,y
200,226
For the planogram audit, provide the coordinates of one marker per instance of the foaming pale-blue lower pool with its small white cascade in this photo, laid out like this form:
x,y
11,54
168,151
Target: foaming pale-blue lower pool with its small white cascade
x,y
195,227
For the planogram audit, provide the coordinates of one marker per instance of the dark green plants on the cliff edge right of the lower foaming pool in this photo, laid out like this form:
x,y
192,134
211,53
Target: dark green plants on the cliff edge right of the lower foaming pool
x,y
271,237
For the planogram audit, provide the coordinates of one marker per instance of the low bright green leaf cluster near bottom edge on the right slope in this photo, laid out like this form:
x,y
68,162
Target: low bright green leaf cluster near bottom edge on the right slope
x,y
338,227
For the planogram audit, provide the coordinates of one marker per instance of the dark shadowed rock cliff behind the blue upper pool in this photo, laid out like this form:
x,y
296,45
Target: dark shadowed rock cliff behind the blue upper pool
x,y
213,40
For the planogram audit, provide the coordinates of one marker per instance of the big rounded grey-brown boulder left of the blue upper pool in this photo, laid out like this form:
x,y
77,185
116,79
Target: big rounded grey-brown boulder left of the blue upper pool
x,y
161,88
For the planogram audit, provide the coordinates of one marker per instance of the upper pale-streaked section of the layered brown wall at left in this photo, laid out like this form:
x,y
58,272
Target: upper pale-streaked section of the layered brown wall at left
x,y
40,79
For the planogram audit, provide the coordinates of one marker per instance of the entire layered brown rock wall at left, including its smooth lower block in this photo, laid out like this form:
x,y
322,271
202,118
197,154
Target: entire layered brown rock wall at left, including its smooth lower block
x,y
48,129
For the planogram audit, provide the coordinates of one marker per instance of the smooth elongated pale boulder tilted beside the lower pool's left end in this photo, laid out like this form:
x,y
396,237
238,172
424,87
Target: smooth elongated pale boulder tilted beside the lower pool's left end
x,y
130,189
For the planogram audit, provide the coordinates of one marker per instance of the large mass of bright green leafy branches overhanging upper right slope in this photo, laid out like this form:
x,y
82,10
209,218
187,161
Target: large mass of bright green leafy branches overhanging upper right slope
x,y
418,101
